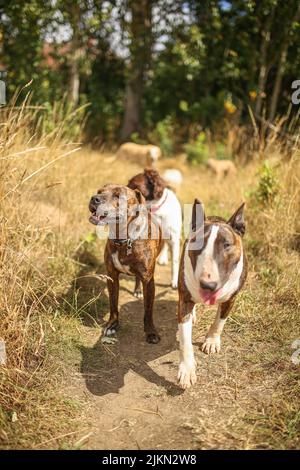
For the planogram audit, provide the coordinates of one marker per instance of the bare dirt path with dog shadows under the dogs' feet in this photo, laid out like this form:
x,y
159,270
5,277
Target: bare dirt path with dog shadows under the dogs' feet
x,y
129,391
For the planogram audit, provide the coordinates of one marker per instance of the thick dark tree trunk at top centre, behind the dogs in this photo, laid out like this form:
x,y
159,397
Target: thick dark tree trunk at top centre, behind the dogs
x,y
140,54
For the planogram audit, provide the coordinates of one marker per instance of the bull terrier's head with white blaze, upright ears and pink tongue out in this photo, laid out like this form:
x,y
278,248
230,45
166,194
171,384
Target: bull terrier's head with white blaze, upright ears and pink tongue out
x,y
217,260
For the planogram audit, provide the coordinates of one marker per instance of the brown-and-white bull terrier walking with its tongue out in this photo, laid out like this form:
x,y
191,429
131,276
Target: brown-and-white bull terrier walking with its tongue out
x,y
213,269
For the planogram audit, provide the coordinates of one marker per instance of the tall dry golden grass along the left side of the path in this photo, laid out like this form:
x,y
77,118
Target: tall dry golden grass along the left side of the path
x,y
28,239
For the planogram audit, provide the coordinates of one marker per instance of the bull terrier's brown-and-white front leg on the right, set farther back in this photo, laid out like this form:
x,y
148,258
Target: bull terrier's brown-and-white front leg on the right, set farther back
x,y
212,343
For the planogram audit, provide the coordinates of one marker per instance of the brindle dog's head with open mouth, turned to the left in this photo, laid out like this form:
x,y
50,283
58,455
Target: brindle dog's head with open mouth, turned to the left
x,y
115,204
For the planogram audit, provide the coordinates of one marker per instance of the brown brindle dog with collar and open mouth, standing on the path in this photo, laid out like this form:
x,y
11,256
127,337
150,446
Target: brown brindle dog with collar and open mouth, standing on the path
x,y
132,248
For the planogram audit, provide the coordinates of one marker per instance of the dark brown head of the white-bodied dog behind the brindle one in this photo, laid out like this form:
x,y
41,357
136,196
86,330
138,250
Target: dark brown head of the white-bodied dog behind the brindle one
x,y
149,183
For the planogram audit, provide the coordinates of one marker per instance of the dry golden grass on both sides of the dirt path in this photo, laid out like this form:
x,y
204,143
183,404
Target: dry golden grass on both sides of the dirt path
x,y
44,189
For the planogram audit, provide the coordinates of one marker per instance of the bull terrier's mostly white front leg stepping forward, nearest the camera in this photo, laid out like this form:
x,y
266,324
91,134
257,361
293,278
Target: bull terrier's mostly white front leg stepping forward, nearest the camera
x,y
187,367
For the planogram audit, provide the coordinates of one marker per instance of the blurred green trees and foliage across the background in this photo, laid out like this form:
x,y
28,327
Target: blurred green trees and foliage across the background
x,y
154,69
